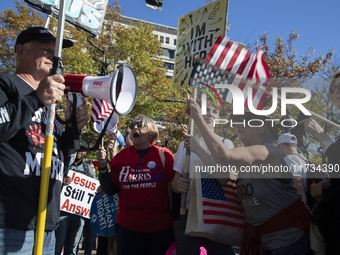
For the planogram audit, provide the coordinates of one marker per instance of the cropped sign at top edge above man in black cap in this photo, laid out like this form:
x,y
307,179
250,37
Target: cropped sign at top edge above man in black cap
x,y
85,14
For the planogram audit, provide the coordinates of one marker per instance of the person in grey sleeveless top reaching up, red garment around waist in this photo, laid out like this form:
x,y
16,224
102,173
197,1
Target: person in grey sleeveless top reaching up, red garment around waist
x,y
277,217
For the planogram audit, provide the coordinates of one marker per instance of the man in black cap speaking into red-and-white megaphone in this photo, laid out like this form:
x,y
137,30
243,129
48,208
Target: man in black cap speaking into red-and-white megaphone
x,y
23,100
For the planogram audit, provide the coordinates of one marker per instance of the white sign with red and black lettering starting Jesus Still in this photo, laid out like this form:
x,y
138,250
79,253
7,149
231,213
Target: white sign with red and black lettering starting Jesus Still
x,y
77,197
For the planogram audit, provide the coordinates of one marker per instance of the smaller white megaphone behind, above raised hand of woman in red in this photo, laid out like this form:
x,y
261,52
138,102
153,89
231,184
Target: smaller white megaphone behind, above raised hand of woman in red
x,y
111,130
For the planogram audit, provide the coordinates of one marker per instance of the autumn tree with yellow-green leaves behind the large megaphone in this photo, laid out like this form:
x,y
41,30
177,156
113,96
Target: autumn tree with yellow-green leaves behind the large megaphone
x,y
133,45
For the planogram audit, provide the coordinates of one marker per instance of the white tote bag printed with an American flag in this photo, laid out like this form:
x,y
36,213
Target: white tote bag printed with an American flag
x,y
217,213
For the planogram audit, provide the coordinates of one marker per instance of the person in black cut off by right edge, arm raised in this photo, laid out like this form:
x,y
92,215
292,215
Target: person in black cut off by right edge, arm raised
x,y
329,222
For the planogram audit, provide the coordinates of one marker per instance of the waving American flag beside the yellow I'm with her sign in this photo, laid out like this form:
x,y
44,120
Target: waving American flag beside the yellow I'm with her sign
x,y
241,63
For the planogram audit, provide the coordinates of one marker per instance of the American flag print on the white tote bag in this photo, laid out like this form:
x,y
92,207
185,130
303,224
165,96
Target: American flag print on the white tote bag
x,y
221,205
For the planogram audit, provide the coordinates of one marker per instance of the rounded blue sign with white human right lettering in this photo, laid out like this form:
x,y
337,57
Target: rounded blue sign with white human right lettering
x,y
103,214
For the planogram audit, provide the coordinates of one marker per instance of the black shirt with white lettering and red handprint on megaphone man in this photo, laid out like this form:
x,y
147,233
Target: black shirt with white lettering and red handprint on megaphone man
x,y
22,138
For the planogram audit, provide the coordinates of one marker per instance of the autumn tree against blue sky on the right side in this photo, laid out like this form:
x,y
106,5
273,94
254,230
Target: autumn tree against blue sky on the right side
x,y
289,70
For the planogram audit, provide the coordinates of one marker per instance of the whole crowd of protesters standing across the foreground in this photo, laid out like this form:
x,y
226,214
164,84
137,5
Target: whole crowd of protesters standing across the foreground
x,y
280,219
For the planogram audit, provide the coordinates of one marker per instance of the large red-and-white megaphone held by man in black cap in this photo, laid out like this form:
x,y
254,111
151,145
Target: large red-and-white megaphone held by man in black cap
x,y
119,88
